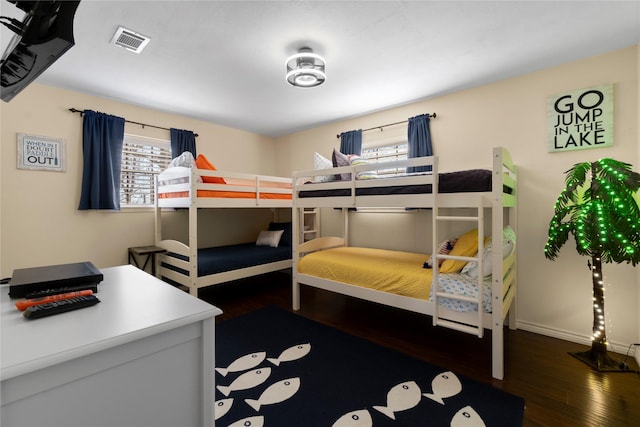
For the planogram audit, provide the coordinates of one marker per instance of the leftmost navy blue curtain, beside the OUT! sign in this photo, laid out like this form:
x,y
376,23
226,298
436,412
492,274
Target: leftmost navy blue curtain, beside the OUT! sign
x,y
102,139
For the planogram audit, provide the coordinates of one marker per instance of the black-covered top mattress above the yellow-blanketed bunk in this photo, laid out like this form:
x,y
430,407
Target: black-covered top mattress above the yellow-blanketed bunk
x,y
473,181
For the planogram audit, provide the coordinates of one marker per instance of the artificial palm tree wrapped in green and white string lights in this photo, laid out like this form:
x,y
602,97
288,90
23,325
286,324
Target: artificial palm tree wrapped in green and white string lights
x,y
598,207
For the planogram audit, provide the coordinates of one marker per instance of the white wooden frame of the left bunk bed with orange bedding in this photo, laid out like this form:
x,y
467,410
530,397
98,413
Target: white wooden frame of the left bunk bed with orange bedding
x,y
258,184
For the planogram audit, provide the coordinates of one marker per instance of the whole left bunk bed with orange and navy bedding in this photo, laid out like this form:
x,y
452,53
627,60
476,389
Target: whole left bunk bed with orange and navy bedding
x,y
195,188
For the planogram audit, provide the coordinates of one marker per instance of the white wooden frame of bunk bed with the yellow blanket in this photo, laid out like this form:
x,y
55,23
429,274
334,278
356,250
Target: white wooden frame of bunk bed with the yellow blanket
x,y
501,203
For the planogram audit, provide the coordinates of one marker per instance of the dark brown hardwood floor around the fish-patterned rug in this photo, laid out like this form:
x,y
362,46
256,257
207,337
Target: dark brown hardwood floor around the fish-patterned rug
x,y
558,389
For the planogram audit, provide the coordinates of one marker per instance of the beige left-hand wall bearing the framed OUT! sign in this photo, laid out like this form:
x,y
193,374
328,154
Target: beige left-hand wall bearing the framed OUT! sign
x,y
40,221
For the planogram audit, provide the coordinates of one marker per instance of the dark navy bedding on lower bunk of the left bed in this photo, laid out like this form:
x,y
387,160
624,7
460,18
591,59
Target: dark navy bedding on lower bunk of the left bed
x,y
227,258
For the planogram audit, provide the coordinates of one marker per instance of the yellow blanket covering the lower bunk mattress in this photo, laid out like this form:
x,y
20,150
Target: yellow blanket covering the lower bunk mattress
x,y
389,271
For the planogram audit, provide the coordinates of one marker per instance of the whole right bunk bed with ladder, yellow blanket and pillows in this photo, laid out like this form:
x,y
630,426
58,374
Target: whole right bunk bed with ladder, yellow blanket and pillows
x,y
479,303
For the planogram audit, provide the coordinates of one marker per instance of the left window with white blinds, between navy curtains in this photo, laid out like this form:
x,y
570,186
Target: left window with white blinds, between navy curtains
x,y
142,159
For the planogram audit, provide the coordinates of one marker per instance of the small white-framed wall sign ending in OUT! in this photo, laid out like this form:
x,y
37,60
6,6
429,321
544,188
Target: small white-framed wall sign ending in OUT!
x,y
41,153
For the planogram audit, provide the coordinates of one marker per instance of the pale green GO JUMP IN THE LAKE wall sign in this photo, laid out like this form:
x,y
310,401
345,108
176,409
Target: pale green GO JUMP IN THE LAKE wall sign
x,y
581,119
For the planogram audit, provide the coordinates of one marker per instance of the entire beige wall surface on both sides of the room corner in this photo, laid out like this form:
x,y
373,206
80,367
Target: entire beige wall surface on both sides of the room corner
x,y
40,223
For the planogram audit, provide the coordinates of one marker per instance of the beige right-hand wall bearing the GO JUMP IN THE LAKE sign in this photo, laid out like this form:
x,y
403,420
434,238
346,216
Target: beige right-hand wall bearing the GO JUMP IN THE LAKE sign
x,y
554,297
